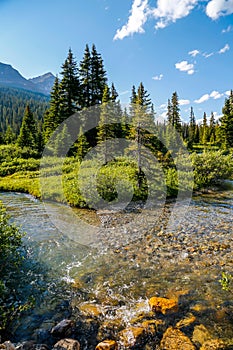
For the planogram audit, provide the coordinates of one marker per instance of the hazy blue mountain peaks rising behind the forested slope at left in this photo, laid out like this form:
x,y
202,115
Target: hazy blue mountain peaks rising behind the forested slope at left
x,y
10,77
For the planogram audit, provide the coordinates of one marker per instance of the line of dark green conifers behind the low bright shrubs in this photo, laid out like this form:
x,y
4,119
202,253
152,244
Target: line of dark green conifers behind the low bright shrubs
x,y
85,85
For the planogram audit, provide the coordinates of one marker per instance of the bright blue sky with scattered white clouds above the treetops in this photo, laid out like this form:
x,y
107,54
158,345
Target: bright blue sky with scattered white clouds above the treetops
x,y
170,45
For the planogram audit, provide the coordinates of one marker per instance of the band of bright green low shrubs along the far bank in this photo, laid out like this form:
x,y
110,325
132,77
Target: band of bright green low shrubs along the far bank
x,y
86,184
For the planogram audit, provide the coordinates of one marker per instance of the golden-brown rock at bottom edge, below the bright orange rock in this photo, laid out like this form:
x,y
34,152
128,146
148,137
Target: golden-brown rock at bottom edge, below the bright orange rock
x,y
174,339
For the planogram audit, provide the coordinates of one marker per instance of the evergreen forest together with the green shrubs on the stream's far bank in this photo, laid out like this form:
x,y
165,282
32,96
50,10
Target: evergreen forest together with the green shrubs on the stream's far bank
x,y
83,91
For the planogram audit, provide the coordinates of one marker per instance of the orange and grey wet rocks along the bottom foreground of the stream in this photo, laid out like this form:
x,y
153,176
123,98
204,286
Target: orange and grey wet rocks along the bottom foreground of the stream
x,y
156,324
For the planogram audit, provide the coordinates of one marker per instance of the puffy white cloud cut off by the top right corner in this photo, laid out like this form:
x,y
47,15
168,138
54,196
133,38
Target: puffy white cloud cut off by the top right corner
x,y
217,8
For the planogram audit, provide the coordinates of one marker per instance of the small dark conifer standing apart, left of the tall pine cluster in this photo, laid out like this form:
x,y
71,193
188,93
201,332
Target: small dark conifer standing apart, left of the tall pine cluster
x,y
28,132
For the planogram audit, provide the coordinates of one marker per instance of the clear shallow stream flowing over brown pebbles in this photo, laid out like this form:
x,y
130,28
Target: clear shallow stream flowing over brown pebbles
x,y
121,258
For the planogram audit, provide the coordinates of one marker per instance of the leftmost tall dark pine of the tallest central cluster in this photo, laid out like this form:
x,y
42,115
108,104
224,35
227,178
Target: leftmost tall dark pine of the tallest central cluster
x,y
69,88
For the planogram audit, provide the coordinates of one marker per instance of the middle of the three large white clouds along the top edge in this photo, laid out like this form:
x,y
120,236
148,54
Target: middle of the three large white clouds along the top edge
x,y
168,11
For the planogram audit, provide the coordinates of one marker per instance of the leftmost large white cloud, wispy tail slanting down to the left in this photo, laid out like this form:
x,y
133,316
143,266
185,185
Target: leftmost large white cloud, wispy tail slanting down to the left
x,y
137,19
